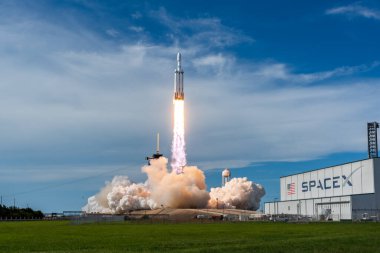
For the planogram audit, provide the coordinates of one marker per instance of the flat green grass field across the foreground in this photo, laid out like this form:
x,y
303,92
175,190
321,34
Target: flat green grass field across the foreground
x,y
53,236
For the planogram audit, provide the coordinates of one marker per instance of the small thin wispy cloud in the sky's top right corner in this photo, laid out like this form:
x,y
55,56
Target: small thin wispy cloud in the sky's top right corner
x,y
355,10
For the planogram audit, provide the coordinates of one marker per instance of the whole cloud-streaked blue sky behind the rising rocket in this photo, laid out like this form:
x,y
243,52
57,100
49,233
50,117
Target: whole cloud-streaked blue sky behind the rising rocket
x,y
272,88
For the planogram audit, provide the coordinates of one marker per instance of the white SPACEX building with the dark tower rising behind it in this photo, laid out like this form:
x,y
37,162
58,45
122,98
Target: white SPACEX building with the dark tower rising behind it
x,y
349,191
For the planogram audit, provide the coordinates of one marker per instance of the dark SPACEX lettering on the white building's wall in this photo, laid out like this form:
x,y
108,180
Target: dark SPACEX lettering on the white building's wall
x,y
329,182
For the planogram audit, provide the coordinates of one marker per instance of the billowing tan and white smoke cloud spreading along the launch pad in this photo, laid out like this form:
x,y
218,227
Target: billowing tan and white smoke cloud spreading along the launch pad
x,y
163,188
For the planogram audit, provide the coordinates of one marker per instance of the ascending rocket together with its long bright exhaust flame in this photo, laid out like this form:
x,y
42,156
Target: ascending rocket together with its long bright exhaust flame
x,y
178,144
